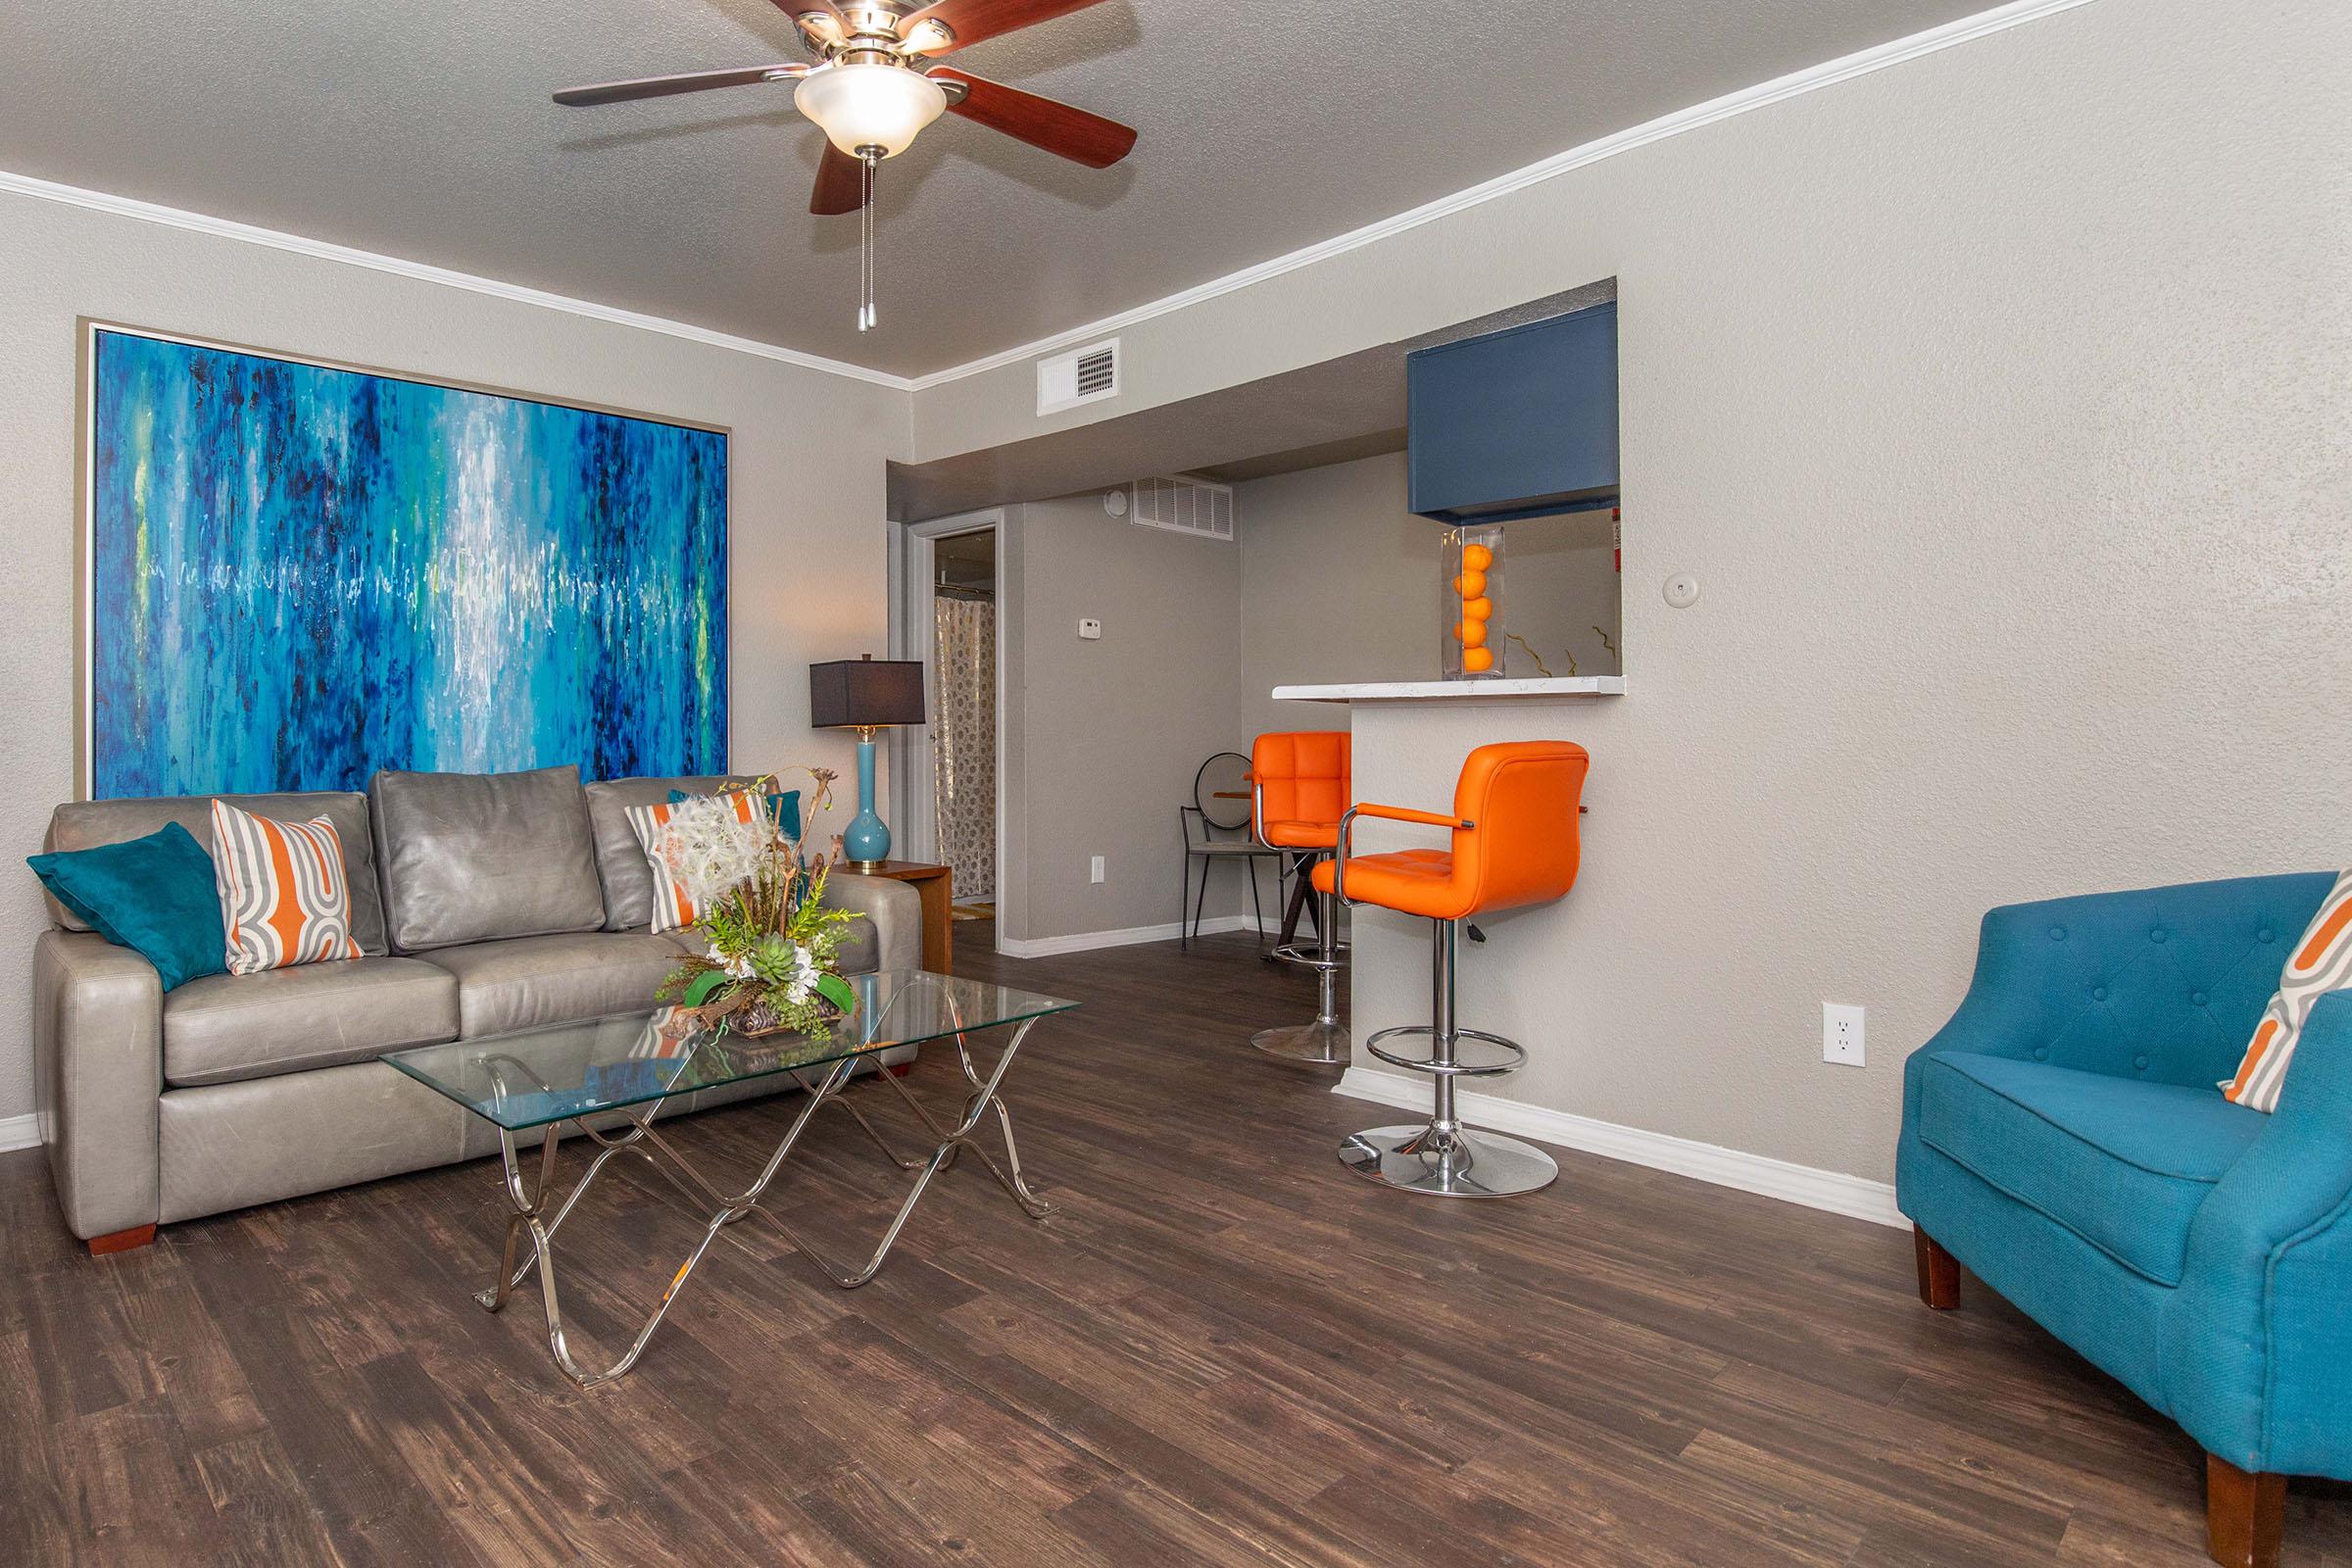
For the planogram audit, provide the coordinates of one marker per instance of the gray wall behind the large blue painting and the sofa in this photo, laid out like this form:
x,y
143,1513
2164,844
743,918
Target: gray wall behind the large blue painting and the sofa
x,y
808,547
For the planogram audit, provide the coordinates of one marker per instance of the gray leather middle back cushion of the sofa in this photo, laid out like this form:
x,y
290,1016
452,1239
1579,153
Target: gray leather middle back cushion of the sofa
x,y
486,857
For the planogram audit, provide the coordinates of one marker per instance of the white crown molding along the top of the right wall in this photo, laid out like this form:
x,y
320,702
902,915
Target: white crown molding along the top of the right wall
x,y
1763,95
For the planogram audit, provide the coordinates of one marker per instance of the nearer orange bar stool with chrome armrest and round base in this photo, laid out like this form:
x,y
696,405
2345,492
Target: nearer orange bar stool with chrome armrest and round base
x,y
1514,845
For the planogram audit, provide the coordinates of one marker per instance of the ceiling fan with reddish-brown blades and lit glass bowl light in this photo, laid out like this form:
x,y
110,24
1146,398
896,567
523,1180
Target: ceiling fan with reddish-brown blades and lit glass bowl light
x,y
871,91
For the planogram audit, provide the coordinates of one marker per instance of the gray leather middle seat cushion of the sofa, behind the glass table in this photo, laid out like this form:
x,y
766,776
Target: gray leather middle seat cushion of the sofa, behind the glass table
x,y
528,981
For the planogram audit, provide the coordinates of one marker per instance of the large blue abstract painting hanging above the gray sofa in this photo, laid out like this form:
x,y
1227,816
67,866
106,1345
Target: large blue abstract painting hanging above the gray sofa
x,y
302,575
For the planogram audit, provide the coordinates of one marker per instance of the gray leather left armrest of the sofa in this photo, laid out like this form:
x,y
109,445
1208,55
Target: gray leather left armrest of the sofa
x,y
98,1066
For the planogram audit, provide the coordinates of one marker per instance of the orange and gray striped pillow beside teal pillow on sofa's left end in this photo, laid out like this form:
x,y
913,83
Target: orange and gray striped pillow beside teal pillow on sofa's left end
x,y
283,892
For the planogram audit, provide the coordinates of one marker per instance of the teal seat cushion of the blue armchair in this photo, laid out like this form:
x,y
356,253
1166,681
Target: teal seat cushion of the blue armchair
x,y
2120,1162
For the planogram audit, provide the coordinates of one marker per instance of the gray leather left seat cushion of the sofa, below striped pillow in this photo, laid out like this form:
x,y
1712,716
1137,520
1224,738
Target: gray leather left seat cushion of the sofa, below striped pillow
x,y
229,1028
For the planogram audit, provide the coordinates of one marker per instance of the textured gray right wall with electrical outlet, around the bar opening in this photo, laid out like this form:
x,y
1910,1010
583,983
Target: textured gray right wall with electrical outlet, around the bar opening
x,y
1998,401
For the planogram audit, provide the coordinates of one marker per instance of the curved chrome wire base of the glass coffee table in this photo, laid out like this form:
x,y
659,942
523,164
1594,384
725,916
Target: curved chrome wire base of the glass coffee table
x,y
639,1137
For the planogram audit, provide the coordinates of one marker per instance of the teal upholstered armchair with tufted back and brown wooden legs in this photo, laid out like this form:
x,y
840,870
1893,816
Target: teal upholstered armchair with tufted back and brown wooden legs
x,y
2064,1139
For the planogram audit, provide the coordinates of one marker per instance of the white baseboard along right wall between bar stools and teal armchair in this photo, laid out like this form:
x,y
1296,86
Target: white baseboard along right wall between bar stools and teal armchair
x,y
1775,1179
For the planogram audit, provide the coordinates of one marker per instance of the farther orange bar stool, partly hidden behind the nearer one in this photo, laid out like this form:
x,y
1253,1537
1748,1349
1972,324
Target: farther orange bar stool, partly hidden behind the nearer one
x,y
1299,789
